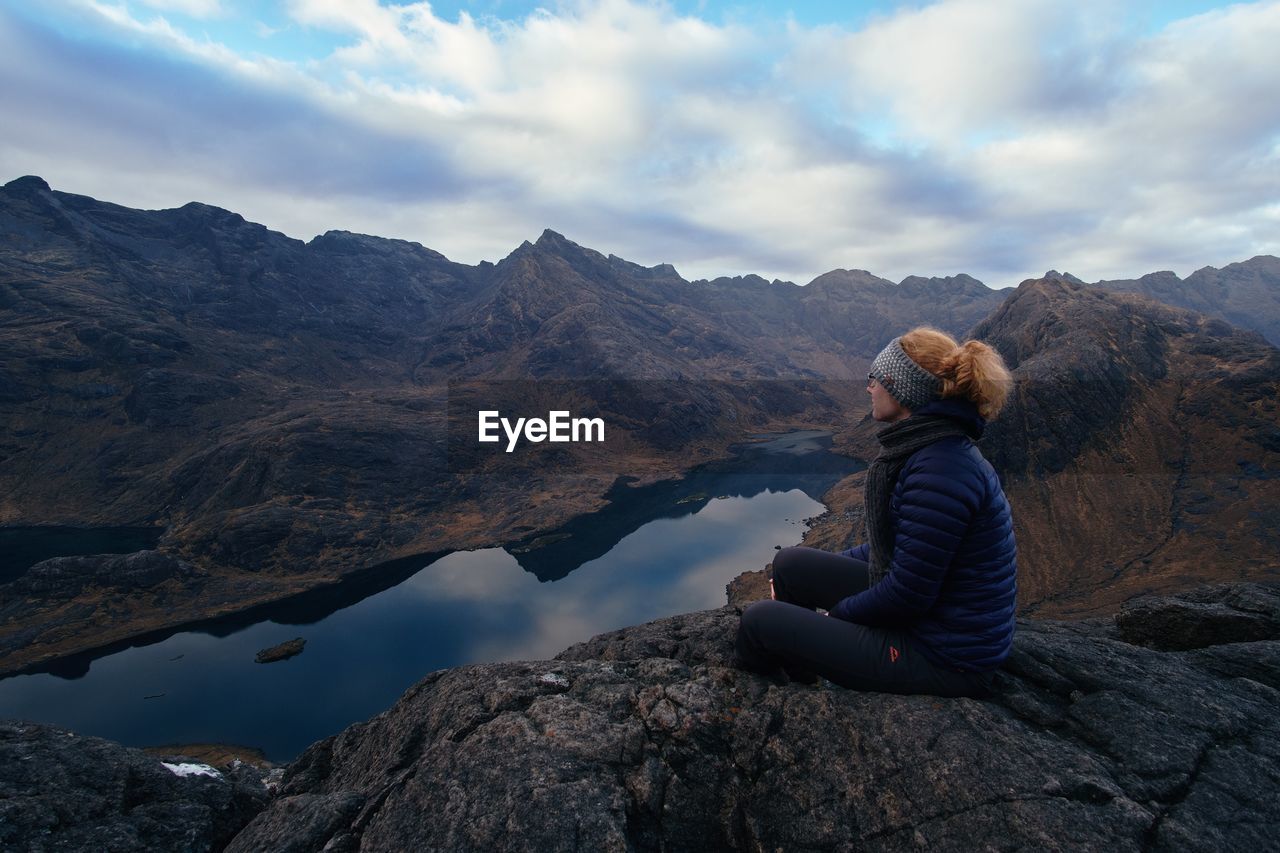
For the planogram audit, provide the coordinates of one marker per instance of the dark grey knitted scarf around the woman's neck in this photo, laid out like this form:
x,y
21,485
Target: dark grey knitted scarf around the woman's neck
x,y
898,443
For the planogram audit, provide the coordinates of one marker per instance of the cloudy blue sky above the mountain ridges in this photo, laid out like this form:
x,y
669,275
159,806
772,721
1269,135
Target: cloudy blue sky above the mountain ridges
x,y
994,138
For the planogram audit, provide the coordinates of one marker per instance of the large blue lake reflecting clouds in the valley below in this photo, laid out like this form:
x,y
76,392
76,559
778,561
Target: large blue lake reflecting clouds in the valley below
x,y
656,551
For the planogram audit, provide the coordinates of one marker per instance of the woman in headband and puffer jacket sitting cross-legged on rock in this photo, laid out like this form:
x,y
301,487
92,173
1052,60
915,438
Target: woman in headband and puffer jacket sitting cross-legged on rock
x,y
927,605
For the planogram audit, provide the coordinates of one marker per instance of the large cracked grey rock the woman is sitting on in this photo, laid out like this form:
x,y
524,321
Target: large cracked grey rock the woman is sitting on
x,y
647,740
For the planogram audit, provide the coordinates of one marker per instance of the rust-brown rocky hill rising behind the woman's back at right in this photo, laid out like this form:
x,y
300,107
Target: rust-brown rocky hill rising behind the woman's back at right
x,y
1140,449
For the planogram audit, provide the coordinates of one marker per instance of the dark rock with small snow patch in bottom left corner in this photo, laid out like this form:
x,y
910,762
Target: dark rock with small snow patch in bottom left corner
x,y
65,792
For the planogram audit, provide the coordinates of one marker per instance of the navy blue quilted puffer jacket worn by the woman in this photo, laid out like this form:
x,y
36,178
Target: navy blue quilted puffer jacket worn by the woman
x,y
953,578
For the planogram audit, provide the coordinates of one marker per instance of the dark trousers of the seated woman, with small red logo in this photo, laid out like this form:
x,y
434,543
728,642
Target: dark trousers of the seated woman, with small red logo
x,y
789,641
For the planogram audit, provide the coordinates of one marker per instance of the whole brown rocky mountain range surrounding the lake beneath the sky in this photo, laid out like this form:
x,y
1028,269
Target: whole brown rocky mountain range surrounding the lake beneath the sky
x,y
282,409
